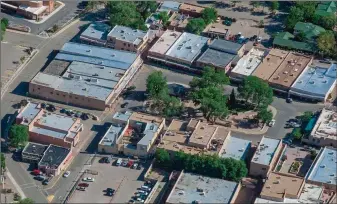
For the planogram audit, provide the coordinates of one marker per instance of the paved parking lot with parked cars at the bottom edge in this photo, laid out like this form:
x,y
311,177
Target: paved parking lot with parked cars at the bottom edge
x,y
125,181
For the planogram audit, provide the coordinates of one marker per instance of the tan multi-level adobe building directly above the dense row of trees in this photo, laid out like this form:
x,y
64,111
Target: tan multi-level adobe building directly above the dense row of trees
x,y
193,137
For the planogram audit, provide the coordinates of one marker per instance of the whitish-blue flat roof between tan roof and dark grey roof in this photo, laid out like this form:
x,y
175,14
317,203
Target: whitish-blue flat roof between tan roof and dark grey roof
x,y
187,47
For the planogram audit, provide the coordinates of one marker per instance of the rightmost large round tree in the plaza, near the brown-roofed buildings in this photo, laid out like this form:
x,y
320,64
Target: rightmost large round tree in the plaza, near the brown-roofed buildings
x,y
256,91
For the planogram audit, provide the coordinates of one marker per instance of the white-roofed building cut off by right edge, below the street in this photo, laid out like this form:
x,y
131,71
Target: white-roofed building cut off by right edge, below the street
x,y
324,132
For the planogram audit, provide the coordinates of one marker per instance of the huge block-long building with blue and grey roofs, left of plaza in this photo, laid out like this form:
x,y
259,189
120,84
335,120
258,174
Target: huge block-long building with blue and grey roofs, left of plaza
x,y
94,77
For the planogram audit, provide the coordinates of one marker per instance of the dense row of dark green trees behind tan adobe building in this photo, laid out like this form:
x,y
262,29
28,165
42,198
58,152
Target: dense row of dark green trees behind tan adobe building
x,y
208,165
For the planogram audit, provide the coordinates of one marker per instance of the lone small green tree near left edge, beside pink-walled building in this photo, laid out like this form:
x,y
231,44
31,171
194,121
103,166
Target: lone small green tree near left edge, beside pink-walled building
x,y
18,135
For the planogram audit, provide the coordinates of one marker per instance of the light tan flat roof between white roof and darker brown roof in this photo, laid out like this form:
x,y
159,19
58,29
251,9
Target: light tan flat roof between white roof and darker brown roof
x,y
270,63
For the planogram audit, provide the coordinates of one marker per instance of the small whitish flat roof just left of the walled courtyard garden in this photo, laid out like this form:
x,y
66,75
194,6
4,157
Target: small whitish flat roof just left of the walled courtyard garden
x,y
265,151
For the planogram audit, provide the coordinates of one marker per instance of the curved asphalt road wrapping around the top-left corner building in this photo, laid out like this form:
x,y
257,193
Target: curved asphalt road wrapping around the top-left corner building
x,y
68,10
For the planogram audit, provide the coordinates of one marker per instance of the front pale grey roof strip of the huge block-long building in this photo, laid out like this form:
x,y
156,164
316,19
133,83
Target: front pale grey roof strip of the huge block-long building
x,y
76,86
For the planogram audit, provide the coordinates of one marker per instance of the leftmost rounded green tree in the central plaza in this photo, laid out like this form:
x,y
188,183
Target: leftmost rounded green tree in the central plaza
x,y
156,85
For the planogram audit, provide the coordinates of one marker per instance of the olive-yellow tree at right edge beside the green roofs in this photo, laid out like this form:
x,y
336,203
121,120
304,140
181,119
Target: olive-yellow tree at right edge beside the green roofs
x,y
326,43
